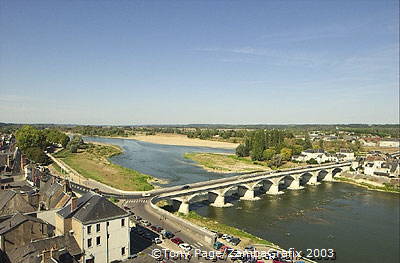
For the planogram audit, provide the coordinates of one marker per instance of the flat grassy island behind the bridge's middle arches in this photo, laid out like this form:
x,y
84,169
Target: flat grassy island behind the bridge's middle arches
x,y
224,163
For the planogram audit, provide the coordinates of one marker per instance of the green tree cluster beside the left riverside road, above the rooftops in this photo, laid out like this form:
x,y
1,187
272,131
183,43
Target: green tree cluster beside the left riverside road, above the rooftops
x,y
33,142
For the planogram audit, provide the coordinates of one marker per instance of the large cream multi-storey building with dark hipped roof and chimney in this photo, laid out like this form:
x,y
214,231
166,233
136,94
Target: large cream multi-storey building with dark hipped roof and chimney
x,y
99,227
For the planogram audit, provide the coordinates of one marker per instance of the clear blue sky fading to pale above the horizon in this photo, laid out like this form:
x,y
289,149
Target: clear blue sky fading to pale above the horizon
x,y
183,62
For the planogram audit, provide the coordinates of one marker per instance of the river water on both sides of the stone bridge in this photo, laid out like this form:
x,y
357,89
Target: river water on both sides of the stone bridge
x,y
361,225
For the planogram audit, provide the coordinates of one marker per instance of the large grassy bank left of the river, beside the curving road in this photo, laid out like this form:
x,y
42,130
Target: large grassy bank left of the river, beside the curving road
x,y
93,163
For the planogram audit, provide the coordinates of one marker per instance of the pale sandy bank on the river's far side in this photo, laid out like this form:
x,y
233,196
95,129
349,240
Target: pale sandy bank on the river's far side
x,y
181,140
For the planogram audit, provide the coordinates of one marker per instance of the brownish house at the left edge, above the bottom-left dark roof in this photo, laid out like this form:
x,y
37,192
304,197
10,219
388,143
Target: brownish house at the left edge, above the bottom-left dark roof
x,y
22,229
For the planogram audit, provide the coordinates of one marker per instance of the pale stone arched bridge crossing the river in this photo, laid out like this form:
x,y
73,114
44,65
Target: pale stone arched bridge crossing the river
x,y
250,186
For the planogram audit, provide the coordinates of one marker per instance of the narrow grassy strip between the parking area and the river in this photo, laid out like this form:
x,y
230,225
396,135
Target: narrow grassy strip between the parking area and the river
x,y
247,238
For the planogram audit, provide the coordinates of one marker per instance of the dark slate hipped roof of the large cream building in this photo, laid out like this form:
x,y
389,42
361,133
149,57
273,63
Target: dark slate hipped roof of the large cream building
x,y
93,207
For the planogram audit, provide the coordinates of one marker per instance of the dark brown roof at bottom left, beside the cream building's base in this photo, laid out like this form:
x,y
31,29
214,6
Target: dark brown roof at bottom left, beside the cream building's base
x,y
31,253
